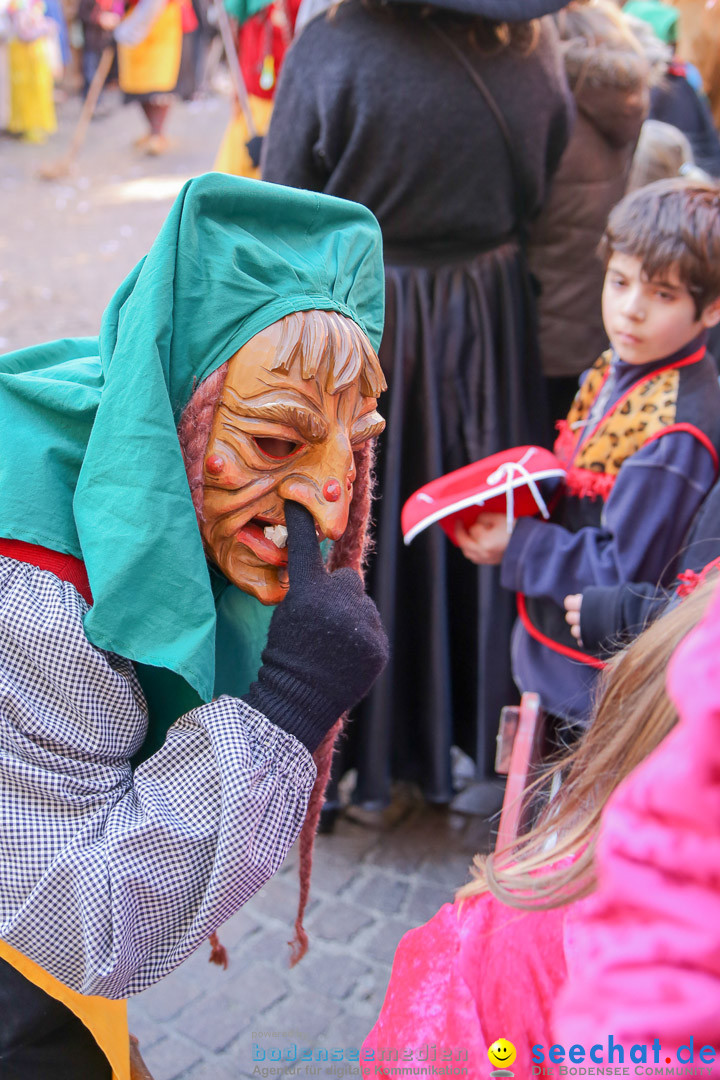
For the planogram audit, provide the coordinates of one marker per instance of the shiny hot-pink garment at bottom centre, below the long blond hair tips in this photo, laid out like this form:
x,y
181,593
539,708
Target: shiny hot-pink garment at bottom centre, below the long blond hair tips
x,y
478,973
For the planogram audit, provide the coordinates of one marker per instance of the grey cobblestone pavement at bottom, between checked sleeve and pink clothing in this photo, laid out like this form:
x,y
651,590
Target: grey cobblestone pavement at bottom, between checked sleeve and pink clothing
x,y
369,887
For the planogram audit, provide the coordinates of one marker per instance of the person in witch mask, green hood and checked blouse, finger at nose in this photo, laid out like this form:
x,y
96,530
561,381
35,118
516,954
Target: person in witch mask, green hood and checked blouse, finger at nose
x,y
145,800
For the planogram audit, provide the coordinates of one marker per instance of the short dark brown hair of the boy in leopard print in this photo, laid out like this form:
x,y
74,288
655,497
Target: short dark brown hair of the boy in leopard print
x,y
668,224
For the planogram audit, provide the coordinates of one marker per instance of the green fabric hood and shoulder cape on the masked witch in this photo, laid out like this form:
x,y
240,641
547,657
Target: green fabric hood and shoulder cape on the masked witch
x,y
91,463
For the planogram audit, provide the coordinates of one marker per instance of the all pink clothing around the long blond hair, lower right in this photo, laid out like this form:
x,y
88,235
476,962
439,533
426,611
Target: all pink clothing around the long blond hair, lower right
x,y
643,953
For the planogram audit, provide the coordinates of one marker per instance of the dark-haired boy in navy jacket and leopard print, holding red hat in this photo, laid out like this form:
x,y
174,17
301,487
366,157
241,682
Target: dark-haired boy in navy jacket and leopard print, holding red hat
x,y
641,441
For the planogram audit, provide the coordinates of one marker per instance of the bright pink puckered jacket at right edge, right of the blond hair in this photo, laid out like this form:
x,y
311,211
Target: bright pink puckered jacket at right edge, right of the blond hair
x,y
644,952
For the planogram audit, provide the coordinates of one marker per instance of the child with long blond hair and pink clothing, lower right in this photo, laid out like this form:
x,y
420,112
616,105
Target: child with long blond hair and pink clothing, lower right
x,y
492,966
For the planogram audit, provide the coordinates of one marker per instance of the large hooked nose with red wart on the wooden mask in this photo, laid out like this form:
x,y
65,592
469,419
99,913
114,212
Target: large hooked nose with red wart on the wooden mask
x,y
325,487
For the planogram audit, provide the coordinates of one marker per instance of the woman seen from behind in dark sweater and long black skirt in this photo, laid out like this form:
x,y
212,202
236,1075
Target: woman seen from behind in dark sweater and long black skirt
x,y
449,125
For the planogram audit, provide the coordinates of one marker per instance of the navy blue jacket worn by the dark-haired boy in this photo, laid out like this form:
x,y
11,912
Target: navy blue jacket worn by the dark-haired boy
x,y
643,528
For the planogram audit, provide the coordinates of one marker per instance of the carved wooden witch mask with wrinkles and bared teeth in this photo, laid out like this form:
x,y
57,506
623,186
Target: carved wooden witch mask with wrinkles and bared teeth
x,y
298,399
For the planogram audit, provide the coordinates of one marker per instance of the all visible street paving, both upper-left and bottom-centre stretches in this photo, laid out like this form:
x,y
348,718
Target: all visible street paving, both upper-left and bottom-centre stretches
x,y
64,248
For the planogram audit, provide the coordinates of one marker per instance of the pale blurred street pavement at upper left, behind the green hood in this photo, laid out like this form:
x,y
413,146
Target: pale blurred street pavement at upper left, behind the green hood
x,y
66,246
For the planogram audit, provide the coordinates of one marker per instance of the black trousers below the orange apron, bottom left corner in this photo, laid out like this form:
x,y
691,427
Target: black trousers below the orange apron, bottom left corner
x,y
40,1038
